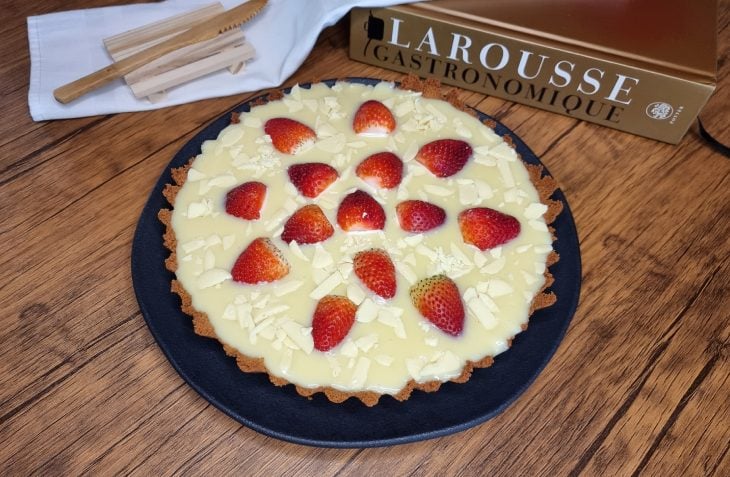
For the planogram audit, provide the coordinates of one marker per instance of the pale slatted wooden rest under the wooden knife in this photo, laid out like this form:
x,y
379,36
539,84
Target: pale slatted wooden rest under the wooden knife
x,y
228,50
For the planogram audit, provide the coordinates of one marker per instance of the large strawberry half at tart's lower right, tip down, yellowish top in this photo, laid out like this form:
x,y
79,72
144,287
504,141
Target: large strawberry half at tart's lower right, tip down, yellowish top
x,y
438,300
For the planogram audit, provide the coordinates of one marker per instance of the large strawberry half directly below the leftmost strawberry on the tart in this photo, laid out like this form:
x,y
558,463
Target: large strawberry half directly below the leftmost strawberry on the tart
x,y
260,262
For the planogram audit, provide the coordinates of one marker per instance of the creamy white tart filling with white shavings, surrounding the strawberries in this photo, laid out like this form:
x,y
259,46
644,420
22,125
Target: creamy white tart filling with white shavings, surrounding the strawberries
x,y
390,343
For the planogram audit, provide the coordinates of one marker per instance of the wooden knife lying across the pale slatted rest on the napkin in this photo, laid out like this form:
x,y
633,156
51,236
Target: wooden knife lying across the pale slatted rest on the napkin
x,y
207,30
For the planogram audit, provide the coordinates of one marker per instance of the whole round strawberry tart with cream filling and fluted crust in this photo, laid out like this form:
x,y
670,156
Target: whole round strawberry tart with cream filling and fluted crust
x,y
360,240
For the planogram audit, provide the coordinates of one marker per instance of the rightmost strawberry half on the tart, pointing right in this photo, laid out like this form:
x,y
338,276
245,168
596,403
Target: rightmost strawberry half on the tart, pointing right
x,y
486,228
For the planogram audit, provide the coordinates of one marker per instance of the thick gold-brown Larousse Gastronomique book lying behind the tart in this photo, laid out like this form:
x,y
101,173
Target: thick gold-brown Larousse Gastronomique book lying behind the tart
x,y
641,66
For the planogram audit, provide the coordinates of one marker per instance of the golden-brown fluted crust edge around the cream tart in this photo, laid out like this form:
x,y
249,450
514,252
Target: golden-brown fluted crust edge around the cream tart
x,y
430,88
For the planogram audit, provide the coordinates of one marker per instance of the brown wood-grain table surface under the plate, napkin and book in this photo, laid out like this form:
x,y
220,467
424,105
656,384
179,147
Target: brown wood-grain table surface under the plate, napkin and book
x,y
639,385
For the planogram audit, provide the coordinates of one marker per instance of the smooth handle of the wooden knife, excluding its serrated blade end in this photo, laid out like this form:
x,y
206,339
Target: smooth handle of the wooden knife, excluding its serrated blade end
x,y
88,83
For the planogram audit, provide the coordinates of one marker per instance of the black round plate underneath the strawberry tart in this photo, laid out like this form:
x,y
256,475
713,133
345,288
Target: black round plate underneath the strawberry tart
x,y
280,412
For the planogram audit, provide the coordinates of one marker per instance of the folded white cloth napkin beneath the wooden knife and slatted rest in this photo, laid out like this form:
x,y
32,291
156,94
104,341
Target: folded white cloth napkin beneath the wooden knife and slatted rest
x,y
68,45
